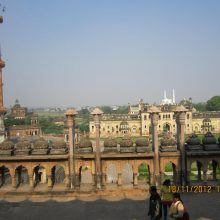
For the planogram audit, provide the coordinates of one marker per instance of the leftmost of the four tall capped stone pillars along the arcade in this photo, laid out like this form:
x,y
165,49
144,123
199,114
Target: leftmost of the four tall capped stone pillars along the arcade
x,y
70,116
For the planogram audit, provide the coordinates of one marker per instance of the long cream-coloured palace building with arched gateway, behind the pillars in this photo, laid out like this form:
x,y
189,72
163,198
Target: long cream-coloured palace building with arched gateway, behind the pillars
x,y
137,121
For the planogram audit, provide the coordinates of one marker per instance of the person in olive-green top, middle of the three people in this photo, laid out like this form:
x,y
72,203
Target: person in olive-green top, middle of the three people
x,y
166,197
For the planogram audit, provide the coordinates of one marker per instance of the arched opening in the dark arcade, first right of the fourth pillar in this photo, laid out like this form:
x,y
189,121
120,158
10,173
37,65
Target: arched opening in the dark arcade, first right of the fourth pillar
x,y
196,172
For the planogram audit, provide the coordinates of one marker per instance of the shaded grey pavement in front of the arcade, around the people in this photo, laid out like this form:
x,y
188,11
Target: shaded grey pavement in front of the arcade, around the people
x,y
200,206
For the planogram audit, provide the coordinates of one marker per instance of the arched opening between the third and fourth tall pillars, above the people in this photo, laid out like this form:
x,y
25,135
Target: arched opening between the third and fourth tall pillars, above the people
x,y
170,172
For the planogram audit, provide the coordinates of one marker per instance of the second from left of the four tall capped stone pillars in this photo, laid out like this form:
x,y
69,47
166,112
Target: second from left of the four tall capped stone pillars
x,y
97,114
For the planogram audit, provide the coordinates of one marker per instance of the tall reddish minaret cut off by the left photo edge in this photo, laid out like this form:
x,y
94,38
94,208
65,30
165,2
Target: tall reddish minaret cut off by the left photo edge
x,y
2,108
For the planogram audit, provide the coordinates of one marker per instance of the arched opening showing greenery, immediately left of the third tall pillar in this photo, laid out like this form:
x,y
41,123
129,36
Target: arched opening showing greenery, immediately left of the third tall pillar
x,y
143,174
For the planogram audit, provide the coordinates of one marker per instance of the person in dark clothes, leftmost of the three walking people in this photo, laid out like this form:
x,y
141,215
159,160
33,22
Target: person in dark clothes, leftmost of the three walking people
x,y
155,209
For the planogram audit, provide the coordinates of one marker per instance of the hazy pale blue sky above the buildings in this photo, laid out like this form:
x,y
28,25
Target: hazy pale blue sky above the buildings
x,y
109,52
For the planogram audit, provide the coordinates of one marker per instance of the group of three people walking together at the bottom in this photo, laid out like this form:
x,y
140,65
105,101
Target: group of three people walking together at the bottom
x,y
168,203
